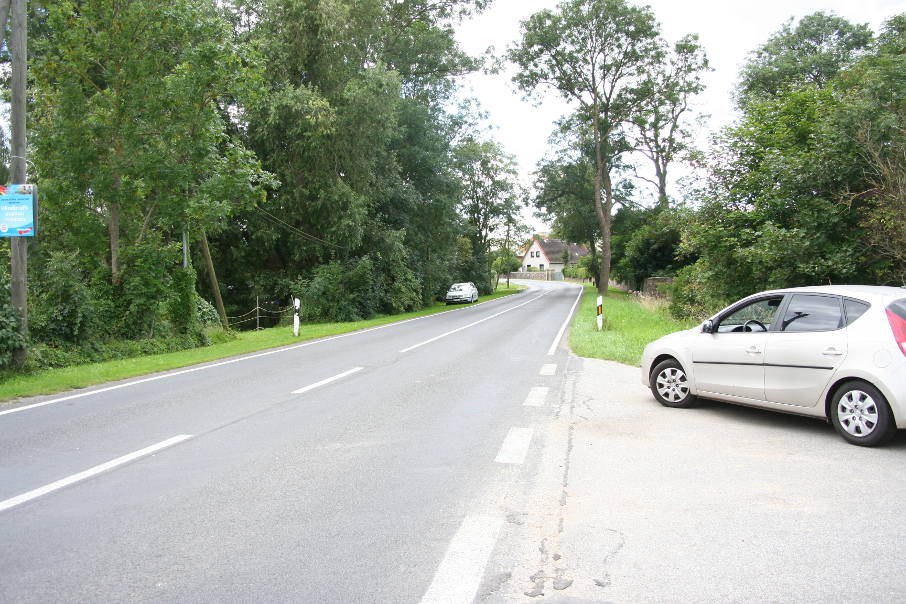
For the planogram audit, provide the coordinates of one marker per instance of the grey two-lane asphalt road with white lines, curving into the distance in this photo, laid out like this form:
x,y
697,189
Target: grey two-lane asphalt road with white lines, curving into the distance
x,y
372,467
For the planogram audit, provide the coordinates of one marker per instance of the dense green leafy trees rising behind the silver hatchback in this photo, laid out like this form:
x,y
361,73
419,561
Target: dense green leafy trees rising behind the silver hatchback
x,y
811,163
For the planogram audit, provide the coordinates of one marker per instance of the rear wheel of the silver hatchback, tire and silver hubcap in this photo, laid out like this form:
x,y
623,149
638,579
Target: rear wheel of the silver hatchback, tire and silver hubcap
x,y
861,415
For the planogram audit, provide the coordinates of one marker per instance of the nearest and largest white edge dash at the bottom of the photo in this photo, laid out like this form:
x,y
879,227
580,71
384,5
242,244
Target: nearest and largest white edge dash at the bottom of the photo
x,y
459,575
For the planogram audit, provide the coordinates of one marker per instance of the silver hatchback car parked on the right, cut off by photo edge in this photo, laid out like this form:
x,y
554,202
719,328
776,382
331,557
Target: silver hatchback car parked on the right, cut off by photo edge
x,y
836,352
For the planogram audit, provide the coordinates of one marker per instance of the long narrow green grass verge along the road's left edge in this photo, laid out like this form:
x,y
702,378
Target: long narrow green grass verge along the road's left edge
x,y
50,381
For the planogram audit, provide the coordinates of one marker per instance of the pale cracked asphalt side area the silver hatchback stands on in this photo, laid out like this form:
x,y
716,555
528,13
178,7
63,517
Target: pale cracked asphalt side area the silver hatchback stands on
x,y
635,502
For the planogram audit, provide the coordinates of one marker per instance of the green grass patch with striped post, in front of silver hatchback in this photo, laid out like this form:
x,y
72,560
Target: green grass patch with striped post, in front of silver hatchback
x,y
628,327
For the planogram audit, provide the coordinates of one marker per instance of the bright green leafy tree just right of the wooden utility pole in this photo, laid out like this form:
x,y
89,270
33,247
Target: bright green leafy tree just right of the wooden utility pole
x,y
130,121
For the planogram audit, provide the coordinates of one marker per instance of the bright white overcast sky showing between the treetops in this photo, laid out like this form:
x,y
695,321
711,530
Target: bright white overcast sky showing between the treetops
x,y
728,29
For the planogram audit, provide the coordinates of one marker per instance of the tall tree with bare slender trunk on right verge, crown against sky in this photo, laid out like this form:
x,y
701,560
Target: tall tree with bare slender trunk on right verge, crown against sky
x,y
600,55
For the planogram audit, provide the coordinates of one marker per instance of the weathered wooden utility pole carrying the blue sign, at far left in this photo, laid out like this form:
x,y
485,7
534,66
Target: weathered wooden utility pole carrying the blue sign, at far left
x,y
19,245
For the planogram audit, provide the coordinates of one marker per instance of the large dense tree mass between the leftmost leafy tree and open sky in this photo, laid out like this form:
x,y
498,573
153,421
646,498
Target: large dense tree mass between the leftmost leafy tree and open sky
x,y
353,122
